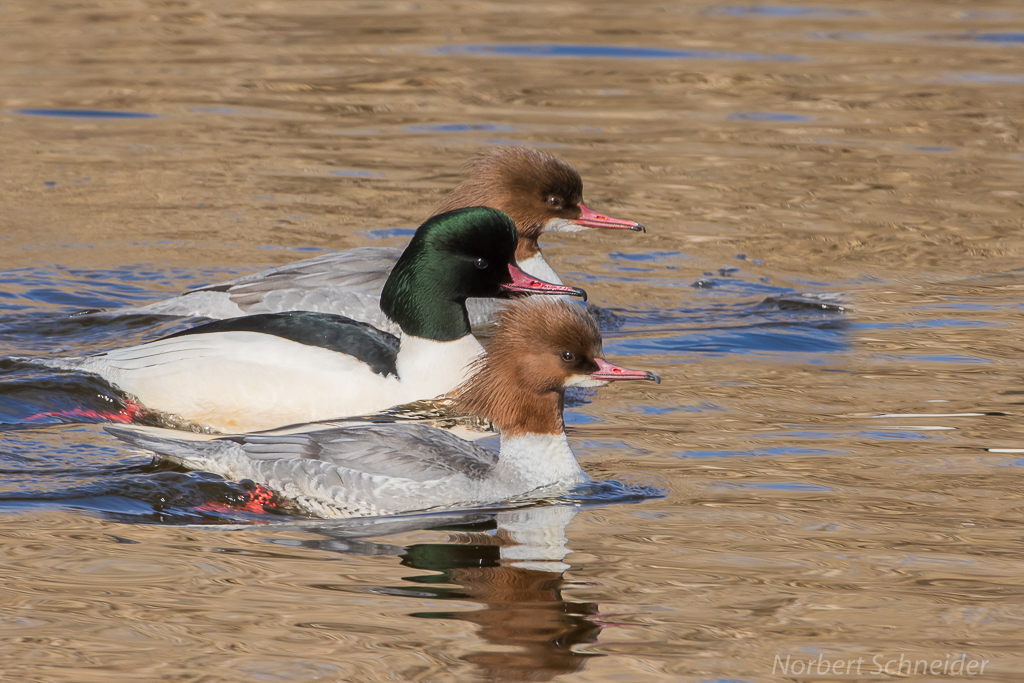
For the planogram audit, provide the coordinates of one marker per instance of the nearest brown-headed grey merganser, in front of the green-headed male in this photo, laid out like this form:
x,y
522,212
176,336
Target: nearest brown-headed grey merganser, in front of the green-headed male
x,y
541,349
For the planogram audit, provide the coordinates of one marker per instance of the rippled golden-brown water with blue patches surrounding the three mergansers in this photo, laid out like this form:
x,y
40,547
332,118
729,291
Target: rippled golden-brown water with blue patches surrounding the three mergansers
x,y
832,471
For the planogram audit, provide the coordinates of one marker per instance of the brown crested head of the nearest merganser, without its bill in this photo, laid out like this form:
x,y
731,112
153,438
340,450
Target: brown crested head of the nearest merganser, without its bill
x,y
539,350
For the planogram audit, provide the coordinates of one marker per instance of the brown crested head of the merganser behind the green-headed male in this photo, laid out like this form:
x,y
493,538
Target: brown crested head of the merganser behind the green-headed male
x,y
532,187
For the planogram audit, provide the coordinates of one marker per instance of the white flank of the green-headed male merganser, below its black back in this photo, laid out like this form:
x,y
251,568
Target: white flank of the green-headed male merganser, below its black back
x,y
246,381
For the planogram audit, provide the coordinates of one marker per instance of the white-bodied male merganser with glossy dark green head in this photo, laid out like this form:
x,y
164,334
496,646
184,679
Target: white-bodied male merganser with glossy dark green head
x,y
271,370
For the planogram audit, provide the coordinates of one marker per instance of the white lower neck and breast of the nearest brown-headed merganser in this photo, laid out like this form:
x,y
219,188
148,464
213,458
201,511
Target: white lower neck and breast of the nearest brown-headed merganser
x,y
535,461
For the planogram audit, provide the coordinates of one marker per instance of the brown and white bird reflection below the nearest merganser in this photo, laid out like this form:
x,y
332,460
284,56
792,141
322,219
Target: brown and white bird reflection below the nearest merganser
x,y
511,564
